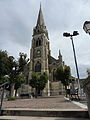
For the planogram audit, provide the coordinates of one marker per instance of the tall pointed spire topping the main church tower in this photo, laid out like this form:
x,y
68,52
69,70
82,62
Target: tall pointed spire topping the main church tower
x,y
40,20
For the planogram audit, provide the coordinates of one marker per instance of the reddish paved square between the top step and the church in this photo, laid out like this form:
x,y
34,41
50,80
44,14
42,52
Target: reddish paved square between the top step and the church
x,y
53,102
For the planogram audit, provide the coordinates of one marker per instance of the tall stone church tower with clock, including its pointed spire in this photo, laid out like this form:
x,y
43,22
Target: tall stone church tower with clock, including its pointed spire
x,y
40,47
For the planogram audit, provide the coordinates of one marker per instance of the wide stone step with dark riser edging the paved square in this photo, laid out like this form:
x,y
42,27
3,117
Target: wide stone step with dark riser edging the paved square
x,y
71,113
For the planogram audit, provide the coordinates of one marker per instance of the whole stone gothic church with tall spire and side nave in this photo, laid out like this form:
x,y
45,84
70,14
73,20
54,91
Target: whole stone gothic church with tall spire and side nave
x,y
40,57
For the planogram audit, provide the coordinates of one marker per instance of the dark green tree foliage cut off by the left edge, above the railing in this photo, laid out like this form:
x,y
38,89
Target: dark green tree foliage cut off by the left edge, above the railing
x,y
6,63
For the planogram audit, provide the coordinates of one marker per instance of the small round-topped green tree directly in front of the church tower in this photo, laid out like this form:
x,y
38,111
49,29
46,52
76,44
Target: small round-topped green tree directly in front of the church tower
x,y
38,82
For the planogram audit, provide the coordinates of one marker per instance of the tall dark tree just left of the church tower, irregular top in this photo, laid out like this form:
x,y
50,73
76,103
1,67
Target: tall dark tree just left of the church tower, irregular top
x,y
17,74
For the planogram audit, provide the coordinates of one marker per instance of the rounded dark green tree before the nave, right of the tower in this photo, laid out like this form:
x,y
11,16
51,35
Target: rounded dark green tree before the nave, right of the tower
x,y
63,74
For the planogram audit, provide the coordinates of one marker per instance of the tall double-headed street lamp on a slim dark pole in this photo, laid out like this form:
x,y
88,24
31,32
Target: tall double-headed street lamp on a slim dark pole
x,y
75,33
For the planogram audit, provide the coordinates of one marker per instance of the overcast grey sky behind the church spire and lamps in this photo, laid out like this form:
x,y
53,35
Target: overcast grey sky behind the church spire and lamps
x,y
19,17
